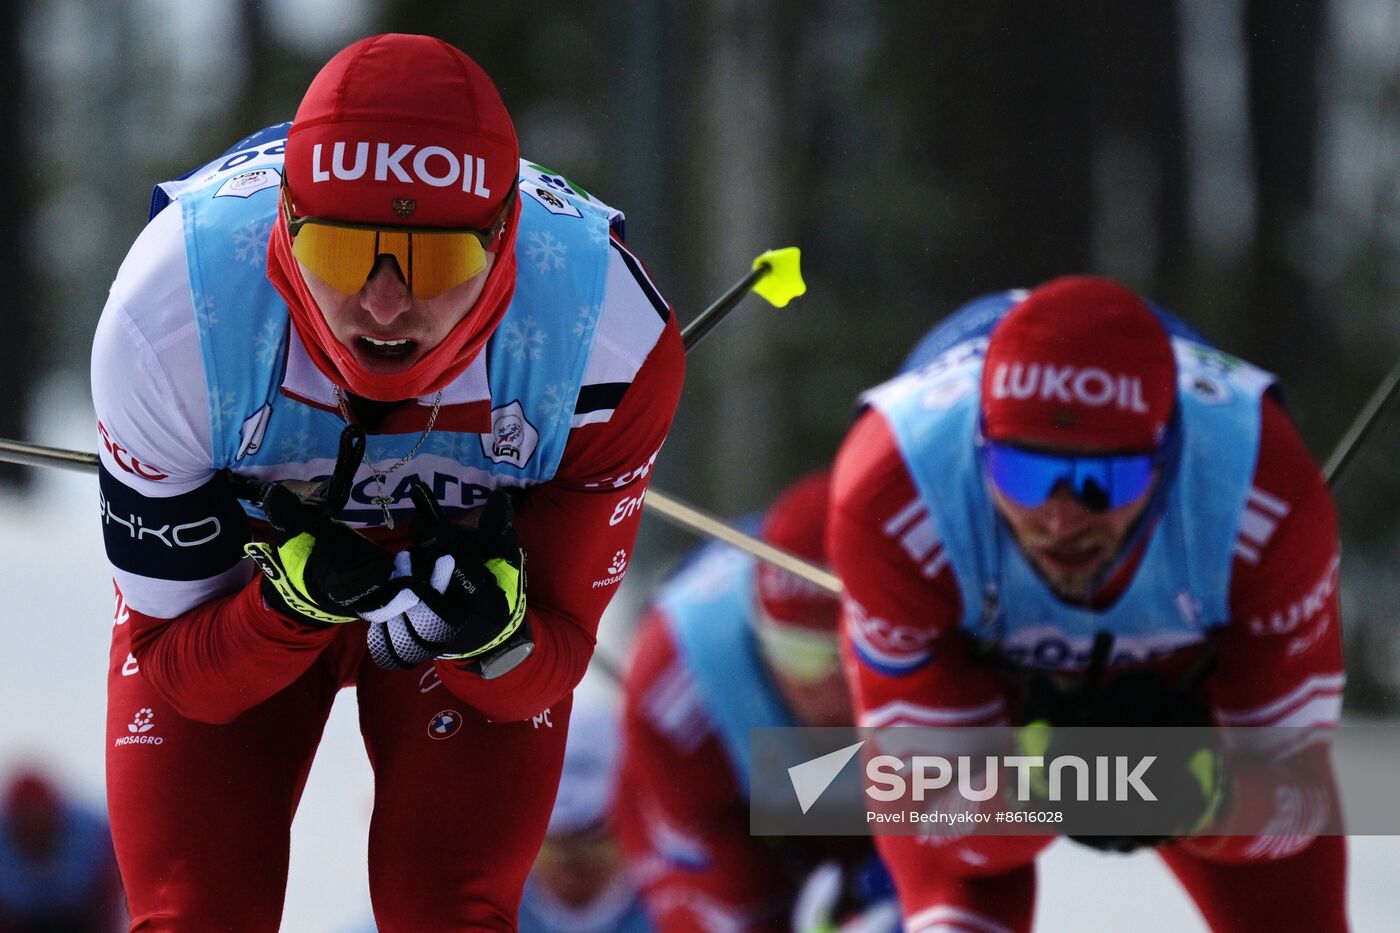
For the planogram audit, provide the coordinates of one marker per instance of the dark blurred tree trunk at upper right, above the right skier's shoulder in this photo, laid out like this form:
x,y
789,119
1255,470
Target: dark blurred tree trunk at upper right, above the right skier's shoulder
x,y
1284,46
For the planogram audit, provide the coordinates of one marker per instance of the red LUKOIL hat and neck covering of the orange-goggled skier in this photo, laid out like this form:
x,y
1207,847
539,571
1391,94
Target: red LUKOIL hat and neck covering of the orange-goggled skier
x,y
374,99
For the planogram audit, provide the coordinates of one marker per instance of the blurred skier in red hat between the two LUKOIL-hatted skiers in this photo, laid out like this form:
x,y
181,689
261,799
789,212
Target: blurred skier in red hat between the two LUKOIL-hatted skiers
x,y
731,645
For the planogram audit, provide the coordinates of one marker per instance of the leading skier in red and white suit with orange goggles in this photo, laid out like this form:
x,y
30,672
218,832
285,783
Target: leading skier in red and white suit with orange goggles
x,y
386,263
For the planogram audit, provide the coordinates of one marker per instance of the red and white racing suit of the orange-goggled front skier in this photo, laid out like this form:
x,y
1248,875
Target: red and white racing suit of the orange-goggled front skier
x,y
216,703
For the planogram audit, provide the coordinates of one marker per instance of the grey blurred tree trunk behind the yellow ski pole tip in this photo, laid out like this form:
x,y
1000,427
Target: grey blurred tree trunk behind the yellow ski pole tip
x,y
737,204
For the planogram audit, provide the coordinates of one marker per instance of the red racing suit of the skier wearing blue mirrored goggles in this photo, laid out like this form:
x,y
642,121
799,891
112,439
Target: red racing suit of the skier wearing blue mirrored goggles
x,y
1279,663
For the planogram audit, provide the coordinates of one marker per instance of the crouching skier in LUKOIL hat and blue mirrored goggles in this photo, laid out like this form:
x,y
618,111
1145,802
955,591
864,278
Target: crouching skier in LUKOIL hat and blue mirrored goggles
x,y
1072,512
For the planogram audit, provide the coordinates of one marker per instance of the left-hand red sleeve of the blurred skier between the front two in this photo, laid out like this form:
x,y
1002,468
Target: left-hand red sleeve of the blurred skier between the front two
x,y
685,827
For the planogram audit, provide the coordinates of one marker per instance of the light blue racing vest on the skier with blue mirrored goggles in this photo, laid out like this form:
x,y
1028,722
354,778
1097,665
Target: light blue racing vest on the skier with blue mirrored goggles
x,y
1181,589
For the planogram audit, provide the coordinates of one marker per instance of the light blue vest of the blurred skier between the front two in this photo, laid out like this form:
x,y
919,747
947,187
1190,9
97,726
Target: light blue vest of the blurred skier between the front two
x,y
710,609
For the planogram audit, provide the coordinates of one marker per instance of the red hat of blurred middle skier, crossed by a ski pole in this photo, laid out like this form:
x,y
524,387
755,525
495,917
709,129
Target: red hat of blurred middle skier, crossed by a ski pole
x,y
797,523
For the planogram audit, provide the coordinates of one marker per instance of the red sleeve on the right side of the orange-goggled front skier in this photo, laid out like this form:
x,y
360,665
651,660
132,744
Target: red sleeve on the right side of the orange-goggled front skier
x,y
577,533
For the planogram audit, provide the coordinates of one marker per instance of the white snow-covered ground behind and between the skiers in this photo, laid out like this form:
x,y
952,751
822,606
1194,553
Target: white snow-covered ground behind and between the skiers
x,y
58,609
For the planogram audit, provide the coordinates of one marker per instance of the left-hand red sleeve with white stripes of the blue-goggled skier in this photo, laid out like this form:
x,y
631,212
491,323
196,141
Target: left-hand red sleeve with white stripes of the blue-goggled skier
x,y
908,662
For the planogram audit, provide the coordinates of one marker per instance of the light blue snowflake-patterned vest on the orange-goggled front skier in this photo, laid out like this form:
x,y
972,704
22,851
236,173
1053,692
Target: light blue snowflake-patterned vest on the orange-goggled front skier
x,y
535,359
